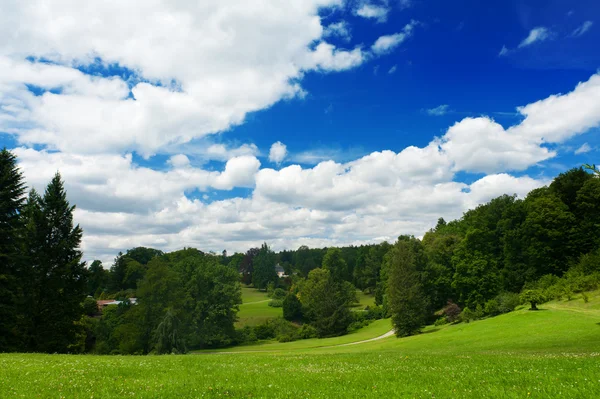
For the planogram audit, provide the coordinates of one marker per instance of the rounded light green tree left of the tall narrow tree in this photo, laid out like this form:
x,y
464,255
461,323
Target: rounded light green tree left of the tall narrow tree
x,y
325,303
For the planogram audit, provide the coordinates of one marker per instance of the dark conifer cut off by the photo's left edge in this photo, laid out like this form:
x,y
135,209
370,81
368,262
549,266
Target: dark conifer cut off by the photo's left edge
x,y
12,199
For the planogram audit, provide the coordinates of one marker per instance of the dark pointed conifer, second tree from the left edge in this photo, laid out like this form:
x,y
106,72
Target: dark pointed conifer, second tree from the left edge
x,y
57,274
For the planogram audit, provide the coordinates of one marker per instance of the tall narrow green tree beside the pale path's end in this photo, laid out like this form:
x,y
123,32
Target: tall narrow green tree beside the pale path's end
x,y
406,301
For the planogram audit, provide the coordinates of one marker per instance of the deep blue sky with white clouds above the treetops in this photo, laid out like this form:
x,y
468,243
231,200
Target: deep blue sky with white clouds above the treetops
x,y
222,124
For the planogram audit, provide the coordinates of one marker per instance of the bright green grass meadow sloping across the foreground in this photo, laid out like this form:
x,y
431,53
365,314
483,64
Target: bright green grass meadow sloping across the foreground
x,y
554,352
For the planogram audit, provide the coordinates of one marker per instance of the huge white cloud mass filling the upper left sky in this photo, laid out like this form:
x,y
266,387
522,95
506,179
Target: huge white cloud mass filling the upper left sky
x,y
193,50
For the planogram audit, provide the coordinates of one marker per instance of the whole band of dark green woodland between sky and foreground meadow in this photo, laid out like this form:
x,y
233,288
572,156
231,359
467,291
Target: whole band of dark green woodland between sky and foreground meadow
x,y
495,257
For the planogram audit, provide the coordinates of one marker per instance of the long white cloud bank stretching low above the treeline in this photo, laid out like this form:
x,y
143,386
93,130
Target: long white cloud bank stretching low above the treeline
x,y
377,196
